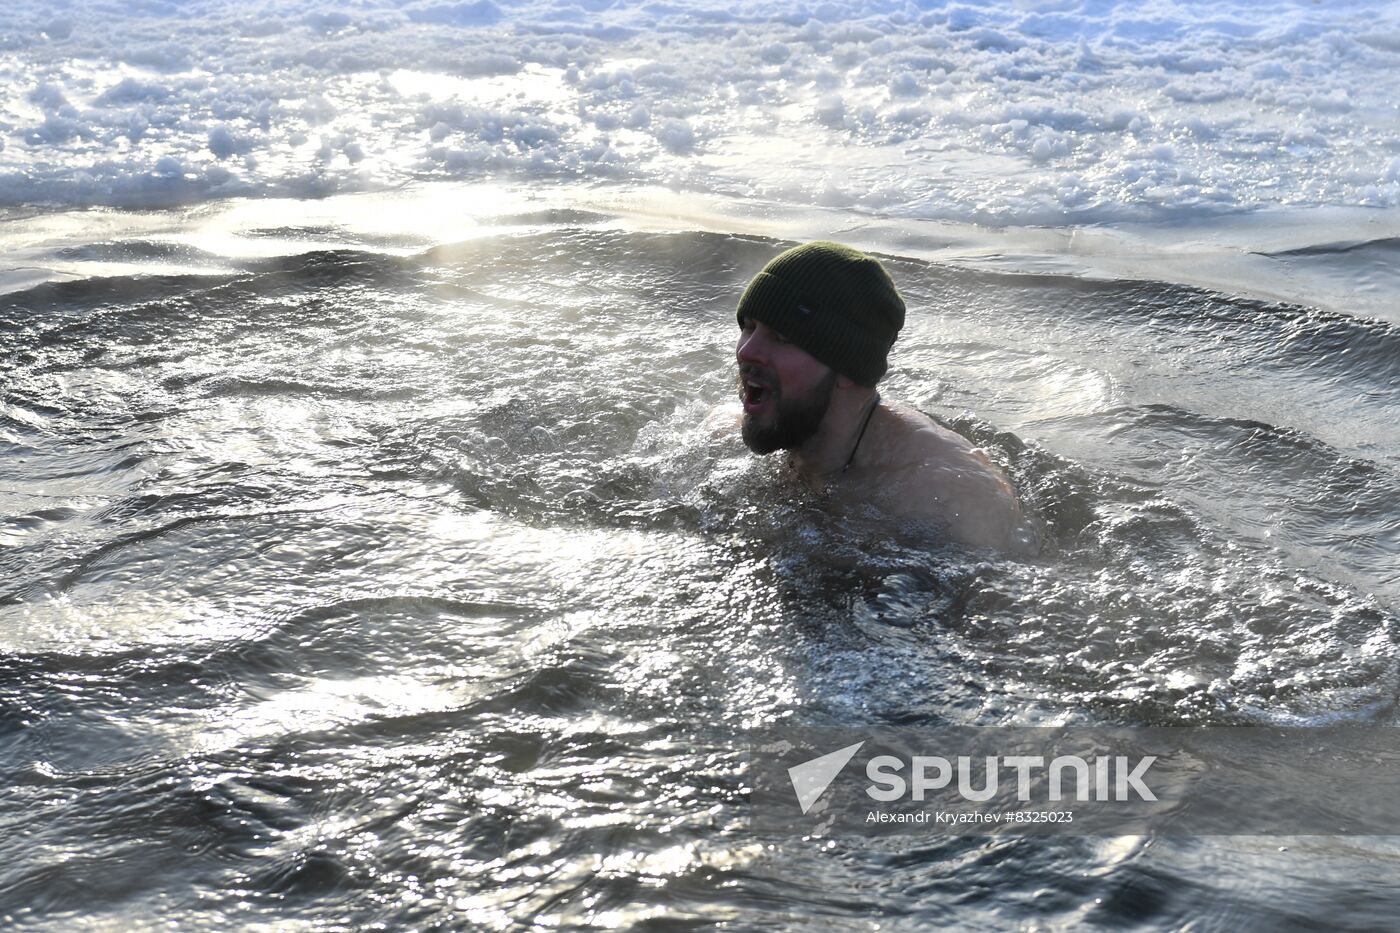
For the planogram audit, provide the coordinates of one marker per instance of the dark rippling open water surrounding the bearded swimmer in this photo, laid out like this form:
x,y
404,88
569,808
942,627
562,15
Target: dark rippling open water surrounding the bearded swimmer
x,y
355,590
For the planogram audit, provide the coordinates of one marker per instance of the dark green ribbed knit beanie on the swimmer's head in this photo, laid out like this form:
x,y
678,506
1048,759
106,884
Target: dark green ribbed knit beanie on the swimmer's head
x,y
834,302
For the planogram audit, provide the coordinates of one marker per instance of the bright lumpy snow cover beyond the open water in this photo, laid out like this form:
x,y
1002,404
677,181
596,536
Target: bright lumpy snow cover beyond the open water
x,y
1003,113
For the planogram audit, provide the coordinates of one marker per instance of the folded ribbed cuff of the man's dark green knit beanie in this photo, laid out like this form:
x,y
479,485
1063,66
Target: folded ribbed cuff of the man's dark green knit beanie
x,y
832,338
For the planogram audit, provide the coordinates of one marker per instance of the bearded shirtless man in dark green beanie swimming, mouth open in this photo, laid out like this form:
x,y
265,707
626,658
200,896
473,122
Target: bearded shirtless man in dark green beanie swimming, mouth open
x,y
817,327
